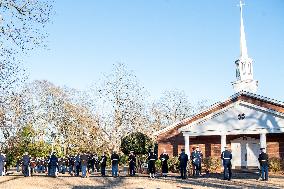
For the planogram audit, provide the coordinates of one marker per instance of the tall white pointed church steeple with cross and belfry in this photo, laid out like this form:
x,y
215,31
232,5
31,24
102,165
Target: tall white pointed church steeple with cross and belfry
x,y
244,67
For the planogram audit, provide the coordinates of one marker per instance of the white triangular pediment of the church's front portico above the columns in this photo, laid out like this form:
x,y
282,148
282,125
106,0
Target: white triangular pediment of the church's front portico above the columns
x,y
237,118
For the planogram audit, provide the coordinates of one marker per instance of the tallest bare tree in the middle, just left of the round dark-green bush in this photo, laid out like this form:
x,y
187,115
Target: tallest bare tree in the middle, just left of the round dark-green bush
x,y
122,104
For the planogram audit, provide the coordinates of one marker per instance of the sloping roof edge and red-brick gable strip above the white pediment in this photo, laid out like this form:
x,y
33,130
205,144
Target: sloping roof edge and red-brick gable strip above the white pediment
x,y
248,97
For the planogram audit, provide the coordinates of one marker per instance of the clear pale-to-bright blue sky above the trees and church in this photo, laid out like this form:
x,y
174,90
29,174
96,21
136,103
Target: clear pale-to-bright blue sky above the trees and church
x,y
170,44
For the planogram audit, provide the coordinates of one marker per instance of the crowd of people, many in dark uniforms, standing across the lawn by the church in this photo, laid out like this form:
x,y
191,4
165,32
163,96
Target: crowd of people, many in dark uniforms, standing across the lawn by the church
x,y
85,164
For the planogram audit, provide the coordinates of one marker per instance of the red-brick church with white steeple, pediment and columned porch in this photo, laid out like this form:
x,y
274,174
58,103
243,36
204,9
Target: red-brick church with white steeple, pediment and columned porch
x,y
244,122
